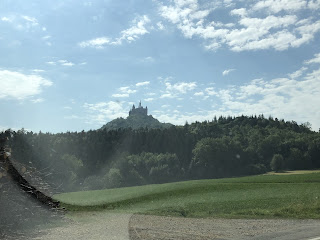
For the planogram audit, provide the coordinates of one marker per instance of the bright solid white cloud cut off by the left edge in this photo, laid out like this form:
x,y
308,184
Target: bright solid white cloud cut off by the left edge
x,y
15,85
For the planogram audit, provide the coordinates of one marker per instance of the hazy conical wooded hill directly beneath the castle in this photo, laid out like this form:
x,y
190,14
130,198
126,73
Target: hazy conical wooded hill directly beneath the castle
x,y
135,122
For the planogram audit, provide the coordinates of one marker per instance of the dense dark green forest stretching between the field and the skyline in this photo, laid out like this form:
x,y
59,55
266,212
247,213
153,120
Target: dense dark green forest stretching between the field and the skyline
x,y
223,147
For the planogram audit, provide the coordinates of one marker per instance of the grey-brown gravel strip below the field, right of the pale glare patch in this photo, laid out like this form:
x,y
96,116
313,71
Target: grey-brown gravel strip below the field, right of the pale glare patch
x,y
157,227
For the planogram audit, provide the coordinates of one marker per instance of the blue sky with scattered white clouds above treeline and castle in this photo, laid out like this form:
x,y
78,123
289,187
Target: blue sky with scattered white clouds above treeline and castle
x,y
75,65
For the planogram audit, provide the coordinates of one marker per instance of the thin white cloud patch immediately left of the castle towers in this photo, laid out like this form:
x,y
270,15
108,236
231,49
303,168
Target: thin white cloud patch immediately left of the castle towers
x,y
100,113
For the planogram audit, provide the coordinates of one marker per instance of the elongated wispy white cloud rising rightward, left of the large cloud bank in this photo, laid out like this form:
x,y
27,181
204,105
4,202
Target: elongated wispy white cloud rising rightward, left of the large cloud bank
x,y
129,35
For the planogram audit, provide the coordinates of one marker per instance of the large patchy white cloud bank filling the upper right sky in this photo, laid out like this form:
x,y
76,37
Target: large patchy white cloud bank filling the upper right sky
x,y
247,32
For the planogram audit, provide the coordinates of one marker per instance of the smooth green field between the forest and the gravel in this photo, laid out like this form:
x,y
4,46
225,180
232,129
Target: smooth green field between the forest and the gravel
x,y
263,196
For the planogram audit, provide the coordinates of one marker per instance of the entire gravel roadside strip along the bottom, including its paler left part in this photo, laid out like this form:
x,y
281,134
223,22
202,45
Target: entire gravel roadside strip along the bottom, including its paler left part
x,y
120,226
